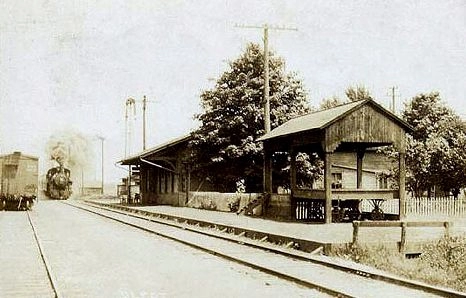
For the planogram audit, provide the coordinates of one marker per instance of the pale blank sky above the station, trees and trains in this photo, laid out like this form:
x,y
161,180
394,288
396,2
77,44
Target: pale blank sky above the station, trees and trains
x,y
70,66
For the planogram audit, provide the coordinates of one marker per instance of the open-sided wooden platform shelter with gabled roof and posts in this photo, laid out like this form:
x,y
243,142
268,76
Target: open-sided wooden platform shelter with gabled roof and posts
x,y
351,127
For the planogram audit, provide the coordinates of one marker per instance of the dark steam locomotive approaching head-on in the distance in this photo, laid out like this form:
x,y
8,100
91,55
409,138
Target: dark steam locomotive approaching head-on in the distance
x,y
58,183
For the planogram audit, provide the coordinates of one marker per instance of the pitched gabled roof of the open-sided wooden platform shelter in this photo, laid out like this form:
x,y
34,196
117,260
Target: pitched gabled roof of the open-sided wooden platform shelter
x,y
324,118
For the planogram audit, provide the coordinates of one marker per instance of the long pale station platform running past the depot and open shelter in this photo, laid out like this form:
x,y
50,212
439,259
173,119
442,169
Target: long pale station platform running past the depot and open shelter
x,y
312,235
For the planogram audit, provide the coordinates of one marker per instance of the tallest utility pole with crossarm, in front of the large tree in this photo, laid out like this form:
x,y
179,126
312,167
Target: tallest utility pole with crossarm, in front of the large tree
x,y
266,28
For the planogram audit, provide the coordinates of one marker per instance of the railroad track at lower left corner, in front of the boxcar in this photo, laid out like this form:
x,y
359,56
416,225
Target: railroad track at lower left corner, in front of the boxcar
x,y
24,271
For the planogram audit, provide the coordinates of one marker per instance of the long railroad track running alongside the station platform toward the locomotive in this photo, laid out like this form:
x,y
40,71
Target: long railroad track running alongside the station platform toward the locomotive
x,y
315,272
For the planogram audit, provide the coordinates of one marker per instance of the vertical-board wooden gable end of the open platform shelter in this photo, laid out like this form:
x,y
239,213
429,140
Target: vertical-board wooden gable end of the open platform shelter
x,y
364,125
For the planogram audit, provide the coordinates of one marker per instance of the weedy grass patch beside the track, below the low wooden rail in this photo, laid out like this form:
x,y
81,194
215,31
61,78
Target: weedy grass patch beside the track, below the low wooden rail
x,y
442,263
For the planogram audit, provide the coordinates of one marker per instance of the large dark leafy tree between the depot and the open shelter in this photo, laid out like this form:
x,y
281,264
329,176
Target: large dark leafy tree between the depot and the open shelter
x,y
225,147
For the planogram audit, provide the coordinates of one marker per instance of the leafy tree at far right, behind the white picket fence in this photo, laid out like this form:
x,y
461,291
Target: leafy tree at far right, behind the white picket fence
x,y
436,154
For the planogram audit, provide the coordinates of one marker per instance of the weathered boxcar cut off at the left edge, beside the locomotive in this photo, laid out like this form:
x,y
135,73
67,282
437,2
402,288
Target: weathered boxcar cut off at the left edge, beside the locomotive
x,y
18,181
